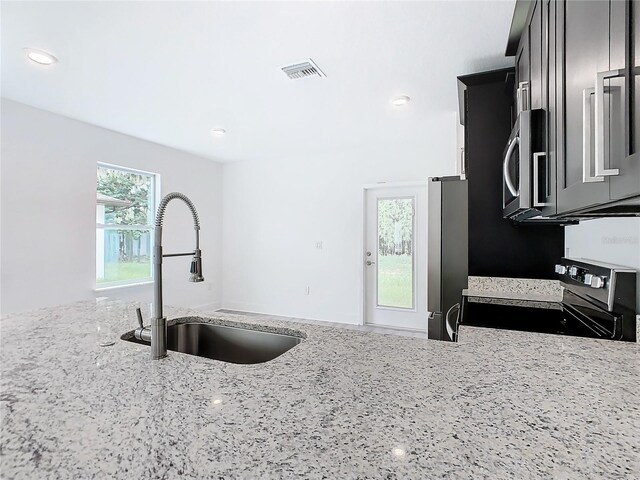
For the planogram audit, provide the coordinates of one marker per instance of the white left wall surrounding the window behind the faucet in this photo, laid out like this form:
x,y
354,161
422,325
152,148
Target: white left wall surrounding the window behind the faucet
x,y
48,202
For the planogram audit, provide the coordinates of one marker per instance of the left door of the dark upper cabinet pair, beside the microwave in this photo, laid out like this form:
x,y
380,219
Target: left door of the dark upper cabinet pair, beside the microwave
x,y
582,50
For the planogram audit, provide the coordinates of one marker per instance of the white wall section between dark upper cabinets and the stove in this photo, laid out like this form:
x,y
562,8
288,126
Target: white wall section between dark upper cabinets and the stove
x,y
612,240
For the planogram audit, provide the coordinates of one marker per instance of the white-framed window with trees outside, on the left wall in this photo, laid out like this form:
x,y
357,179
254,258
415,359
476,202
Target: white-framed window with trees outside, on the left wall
x,y
125,207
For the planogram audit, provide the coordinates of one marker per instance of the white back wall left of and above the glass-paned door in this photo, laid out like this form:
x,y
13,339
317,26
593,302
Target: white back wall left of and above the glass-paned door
x,y
275,211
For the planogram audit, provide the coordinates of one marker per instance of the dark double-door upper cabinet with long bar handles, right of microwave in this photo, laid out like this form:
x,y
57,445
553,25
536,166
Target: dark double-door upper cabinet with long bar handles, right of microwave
x,y
597,157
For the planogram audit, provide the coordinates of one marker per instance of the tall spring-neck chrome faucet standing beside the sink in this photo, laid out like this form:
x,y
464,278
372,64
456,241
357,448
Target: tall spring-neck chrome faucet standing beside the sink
x,y
157,333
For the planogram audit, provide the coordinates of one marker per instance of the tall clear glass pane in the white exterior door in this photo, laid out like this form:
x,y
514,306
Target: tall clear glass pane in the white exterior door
x,y
395,272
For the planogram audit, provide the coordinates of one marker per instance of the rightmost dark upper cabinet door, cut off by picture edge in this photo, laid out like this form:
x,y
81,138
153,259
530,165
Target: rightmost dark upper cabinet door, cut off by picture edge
x,y
623,99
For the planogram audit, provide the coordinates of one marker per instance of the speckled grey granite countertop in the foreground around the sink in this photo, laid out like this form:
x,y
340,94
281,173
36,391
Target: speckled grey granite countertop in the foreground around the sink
x,y
341,404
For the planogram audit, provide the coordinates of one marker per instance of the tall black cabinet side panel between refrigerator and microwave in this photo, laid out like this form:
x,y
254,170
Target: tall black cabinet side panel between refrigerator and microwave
x,y
497,247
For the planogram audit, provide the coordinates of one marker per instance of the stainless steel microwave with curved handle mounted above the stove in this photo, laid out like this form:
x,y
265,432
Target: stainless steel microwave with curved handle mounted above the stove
x,y
521,165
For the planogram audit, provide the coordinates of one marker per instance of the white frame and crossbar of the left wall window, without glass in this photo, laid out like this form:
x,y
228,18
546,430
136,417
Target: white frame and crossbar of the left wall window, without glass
x,y
155,195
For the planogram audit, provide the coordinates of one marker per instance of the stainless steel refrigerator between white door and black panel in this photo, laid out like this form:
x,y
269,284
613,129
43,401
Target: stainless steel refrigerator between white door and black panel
x,y
448,252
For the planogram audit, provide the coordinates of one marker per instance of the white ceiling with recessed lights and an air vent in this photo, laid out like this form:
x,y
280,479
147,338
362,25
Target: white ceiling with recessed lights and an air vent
x,y
169,72
